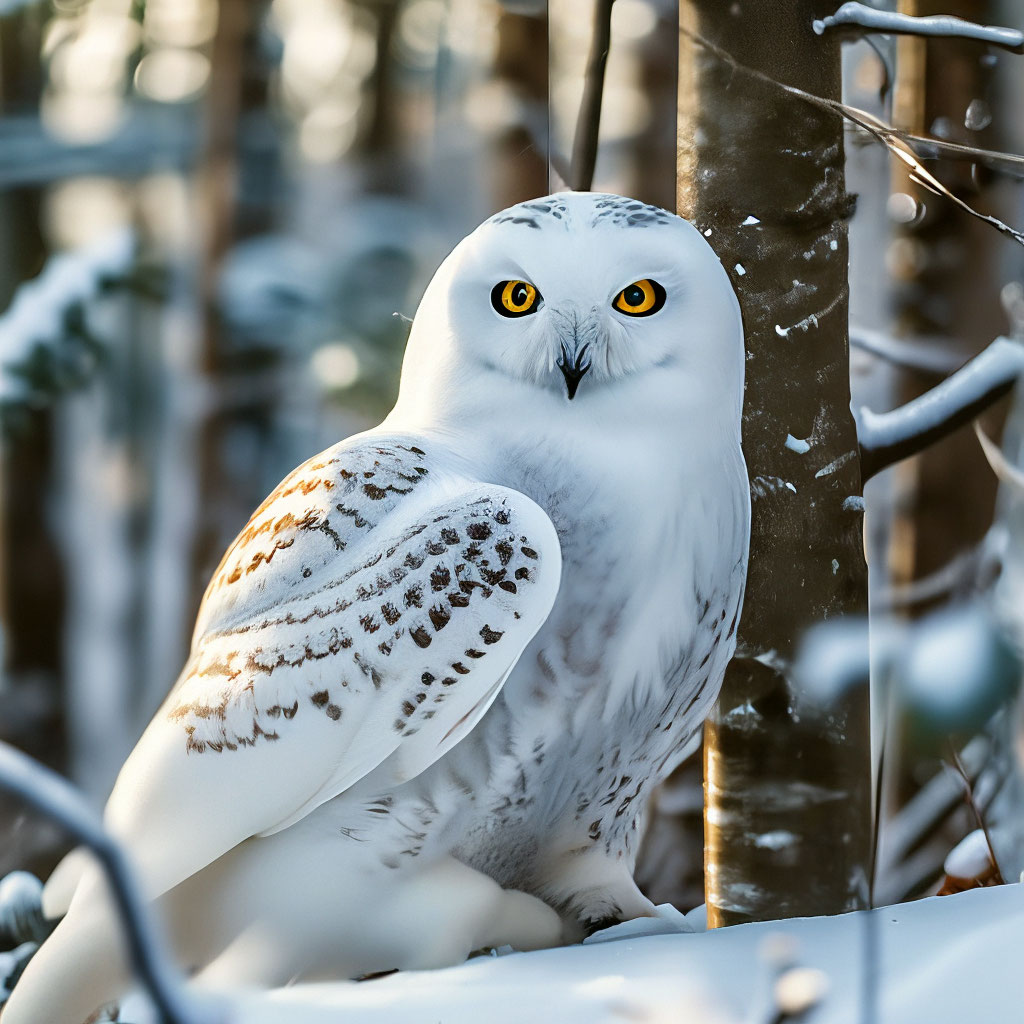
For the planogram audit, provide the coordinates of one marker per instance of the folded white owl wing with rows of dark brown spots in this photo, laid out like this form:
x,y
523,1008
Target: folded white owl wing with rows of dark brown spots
x,y
365,619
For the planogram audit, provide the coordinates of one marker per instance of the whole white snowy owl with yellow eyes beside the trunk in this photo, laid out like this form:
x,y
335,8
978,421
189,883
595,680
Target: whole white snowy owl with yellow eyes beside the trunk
x,y
437,677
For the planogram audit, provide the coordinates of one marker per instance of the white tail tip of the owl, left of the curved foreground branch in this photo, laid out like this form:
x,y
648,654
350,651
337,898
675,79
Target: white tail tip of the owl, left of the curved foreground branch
x,y
80,968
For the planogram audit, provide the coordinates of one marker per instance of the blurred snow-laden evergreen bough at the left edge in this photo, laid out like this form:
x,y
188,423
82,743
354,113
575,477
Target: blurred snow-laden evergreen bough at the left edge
x,y
38,317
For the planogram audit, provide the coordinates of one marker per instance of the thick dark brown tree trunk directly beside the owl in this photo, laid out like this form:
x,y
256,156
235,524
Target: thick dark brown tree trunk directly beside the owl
x,y
789,798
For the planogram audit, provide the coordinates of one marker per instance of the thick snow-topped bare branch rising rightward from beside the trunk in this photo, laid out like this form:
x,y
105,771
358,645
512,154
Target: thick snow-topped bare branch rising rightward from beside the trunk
x,y
888,438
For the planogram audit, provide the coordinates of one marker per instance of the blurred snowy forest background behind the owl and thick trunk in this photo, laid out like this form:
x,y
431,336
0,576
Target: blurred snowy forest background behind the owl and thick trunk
x,y
217,219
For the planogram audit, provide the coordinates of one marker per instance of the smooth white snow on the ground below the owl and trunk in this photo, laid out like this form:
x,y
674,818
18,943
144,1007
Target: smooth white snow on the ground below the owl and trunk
x,y
952,959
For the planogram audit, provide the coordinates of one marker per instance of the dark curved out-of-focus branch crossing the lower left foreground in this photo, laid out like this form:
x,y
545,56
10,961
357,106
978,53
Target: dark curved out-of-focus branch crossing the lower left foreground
x,y
48,793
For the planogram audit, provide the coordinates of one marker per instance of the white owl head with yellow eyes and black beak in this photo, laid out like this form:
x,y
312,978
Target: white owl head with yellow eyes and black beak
x,y
581,306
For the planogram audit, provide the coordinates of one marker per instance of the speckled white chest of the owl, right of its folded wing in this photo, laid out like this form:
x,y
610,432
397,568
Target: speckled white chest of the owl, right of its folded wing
x,y
612,692
